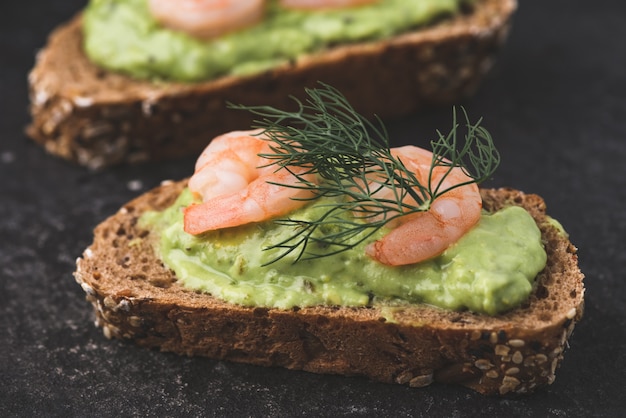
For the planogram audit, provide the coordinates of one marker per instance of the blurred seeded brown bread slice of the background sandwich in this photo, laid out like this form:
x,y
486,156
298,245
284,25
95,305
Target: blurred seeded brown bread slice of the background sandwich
x,y
99,118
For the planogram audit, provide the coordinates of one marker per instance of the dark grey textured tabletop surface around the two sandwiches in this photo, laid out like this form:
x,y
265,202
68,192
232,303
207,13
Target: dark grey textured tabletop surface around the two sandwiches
x,y
556,104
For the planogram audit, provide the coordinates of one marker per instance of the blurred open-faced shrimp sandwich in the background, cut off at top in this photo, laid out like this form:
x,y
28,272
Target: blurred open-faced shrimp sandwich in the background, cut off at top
x,y
133,80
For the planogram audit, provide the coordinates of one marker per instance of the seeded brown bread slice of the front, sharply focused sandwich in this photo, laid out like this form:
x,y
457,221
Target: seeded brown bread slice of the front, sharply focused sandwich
x,y
136,298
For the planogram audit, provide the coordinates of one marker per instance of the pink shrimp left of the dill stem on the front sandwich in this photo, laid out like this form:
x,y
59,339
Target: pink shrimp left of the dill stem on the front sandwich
x,y
236,184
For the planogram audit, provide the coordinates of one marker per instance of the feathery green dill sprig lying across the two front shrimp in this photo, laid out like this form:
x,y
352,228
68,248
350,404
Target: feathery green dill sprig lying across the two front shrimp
x,y
352,158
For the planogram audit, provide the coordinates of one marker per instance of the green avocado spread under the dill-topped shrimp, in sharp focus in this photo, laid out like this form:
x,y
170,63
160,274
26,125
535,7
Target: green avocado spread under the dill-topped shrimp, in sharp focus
x,y
490,270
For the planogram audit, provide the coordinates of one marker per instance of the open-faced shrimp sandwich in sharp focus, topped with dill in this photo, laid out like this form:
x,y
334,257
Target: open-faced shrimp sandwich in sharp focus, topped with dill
x,y
309,243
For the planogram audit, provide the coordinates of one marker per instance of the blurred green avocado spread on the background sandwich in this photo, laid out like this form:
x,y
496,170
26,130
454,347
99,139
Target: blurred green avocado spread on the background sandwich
x,y
121,35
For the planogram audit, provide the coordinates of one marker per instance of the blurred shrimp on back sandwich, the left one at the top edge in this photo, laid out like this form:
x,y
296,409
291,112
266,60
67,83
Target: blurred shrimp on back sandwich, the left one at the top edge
x,y
206,18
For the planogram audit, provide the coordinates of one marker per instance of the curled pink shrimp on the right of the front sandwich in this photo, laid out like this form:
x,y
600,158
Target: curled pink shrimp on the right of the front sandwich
x,y
420,236
